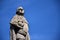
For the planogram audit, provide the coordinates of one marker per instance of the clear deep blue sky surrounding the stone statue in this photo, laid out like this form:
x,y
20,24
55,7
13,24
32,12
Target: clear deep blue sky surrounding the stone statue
x,y
42,15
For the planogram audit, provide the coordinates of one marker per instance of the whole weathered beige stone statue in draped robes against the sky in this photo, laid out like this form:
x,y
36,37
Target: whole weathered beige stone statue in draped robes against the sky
x,y
19,26
